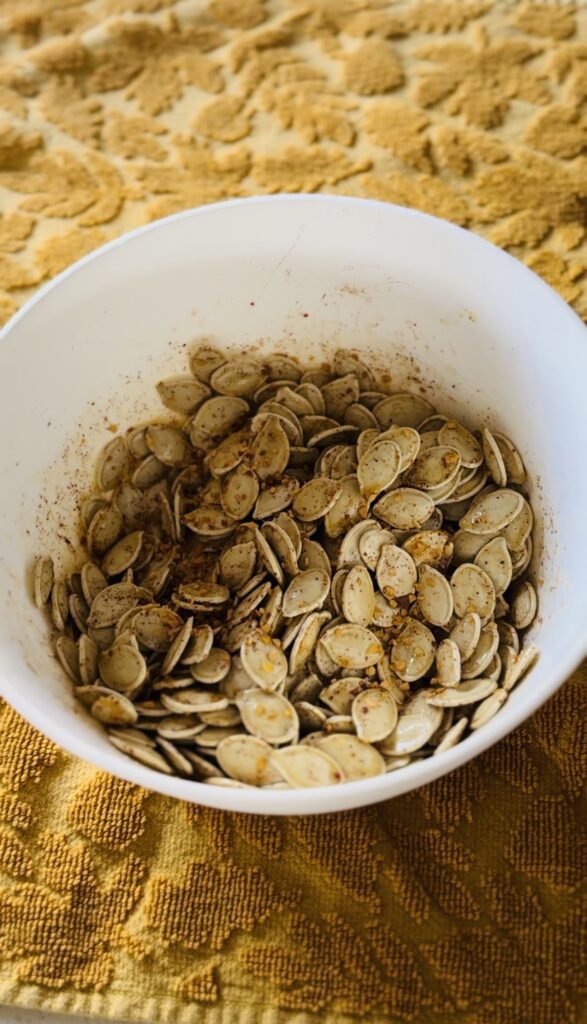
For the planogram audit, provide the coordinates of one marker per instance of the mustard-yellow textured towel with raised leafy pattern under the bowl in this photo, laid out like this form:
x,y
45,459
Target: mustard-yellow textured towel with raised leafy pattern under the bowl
x,y
460,903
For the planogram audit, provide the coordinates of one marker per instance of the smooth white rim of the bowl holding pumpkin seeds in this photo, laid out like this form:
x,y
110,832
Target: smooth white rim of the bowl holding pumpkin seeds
x,y
323,799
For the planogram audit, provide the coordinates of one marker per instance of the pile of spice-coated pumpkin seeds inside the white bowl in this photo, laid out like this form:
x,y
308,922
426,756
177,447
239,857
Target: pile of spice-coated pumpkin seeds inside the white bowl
x,y
298,580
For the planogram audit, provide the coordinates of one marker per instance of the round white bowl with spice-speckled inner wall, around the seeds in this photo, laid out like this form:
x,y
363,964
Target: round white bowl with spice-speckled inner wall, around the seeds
x,y
429,303
